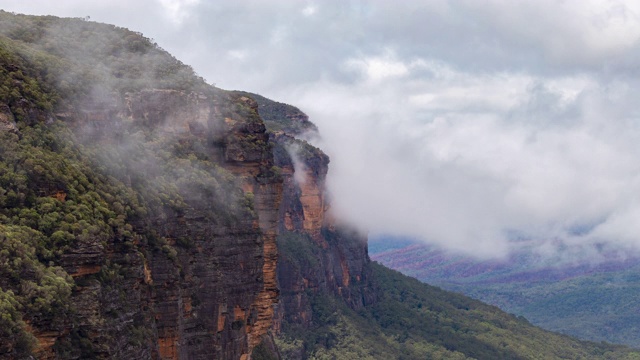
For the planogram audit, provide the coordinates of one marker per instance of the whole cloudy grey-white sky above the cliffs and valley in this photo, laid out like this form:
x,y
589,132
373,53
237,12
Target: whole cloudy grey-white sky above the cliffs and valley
x,y
480,126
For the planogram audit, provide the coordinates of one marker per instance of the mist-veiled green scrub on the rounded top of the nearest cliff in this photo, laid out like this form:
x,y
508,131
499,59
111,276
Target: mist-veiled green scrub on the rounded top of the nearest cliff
x,y
73,54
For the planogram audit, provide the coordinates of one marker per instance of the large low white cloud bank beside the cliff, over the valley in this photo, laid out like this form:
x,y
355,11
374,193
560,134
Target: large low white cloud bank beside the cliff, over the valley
x,y
483,164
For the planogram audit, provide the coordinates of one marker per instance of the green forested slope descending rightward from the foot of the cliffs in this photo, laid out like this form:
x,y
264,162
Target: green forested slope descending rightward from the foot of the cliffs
x,y
412,320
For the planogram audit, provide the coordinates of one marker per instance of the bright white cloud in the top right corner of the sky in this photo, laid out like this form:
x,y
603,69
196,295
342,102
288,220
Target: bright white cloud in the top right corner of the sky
x,y
572,32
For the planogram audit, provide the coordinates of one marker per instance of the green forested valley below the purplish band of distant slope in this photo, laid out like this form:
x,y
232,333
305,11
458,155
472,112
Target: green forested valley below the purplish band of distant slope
x,y
600,307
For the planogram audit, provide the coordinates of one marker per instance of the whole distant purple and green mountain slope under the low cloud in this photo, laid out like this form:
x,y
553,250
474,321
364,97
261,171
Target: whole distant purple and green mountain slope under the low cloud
x,y
596,301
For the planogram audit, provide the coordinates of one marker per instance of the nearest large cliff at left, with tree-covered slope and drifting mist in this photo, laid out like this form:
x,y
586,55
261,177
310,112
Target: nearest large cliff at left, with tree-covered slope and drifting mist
x,y
153,208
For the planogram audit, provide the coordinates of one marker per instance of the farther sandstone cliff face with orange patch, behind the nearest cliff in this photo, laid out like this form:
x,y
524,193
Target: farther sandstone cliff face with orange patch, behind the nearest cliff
x,y
318,257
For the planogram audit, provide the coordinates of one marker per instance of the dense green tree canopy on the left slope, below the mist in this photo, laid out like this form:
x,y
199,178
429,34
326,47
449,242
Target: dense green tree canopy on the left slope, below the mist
x,y
37,226
